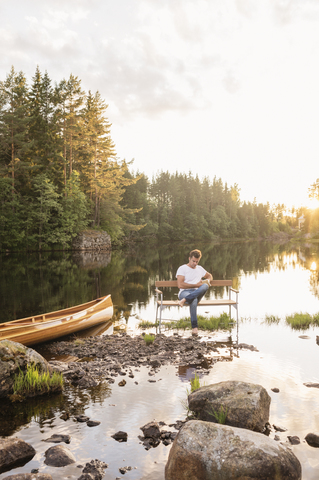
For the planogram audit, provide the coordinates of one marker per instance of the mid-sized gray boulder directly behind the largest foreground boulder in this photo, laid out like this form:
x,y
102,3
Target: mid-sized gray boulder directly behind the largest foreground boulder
x,y
247,404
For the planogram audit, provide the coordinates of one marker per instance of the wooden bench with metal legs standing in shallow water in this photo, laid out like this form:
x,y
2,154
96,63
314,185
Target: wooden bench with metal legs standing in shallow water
x,y
161,303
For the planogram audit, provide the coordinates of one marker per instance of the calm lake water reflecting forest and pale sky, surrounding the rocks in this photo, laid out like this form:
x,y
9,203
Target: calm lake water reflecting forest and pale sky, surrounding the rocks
x,y
273,280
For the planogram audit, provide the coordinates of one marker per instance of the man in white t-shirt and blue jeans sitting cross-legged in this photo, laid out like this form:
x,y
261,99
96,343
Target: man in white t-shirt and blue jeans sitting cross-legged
x,y
192,287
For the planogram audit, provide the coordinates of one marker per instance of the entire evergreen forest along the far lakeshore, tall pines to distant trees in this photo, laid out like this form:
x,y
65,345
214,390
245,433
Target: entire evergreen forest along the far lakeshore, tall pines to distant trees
x,y
59,175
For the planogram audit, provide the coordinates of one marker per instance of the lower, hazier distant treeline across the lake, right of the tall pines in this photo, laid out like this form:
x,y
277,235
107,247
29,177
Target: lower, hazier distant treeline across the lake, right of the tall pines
x,y
180,207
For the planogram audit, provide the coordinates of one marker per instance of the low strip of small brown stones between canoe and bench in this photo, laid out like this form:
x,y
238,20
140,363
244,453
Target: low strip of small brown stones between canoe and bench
x,y
96,359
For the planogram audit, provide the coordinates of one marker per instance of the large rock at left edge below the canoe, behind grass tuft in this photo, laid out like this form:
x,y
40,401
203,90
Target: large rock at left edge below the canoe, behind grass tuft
x,y
15,357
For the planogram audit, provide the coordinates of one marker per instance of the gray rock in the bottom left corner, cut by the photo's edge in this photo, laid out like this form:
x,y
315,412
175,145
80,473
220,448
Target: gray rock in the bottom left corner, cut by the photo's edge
x,y
14,452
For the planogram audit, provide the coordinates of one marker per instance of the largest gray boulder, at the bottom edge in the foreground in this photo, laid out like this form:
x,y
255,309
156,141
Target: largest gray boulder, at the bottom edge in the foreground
x,y
208,451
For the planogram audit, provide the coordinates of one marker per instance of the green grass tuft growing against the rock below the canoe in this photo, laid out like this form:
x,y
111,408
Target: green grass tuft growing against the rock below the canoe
x,y
32,382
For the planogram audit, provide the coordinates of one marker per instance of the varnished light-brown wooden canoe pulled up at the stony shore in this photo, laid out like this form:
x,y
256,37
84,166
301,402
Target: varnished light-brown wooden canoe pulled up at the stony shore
x,y
42,328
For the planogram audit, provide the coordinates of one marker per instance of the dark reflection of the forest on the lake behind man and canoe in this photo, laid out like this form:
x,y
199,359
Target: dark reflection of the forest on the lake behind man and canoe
x,y
32,284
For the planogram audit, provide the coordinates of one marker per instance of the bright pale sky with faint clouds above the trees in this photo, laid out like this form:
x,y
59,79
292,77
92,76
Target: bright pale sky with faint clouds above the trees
x,y
219,88
